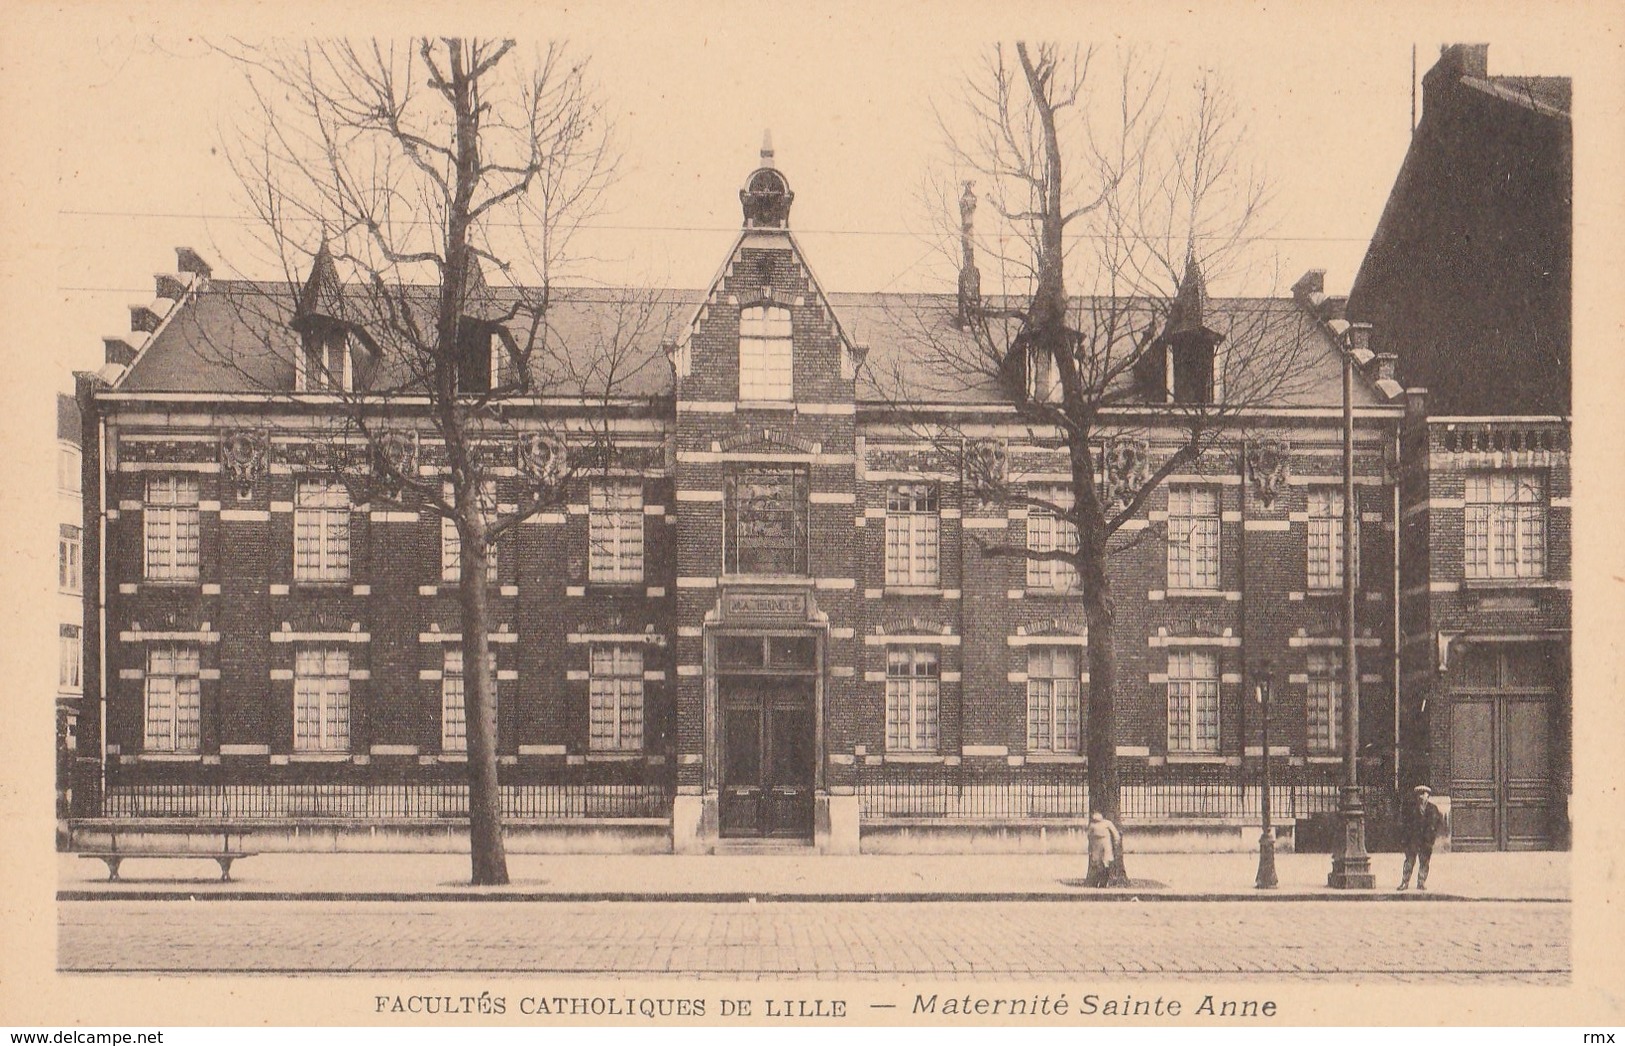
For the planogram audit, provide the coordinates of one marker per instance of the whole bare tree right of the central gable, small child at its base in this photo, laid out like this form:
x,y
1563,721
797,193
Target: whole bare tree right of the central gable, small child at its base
x,y
1112,199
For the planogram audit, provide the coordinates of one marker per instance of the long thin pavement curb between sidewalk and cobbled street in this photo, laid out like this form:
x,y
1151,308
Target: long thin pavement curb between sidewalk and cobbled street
x,y
781,897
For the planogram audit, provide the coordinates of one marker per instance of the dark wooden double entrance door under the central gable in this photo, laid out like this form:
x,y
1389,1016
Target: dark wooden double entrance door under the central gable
x,y
768,759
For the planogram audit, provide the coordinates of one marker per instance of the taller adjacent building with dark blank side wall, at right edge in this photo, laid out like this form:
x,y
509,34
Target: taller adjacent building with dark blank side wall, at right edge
x,y
1468,283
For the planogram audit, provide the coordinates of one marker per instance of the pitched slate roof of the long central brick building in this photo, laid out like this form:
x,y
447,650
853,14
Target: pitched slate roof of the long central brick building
x,y
235,337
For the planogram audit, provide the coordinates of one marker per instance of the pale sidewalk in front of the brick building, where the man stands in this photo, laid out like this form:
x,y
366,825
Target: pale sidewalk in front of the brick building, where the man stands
x,y
812,878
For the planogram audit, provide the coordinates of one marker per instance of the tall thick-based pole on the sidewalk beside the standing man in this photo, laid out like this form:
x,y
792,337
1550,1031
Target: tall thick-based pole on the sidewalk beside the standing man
x,y
1351,867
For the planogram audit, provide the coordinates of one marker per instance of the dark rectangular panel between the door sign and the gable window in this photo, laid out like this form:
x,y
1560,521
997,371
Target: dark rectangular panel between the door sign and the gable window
x,y
768,522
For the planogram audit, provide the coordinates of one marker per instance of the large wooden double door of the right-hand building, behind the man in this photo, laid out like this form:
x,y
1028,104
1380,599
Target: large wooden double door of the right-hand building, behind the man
x,y
1502,780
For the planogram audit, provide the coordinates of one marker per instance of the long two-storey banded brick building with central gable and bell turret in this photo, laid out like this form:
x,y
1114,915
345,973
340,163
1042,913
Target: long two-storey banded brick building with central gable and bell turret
x,y
766,608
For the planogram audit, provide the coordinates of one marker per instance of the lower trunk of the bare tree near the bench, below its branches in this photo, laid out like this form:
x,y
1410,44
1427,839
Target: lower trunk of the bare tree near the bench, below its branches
x,y
485,793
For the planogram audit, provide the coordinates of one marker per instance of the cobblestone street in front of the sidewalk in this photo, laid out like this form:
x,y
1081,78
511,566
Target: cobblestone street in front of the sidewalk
x,y
1465,941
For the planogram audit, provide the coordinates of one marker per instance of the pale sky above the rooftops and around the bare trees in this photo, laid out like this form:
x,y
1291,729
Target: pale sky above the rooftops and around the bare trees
x,y
141,166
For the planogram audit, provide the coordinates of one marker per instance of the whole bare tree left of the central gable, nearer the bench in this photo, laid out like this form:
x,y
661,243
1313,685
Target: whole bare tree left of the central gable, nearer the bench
x,y
420,202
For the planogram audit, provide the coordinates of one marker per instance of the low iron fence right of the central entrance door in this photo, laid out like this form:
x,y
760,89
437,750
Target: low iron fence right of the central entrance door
x,y
1145,793
